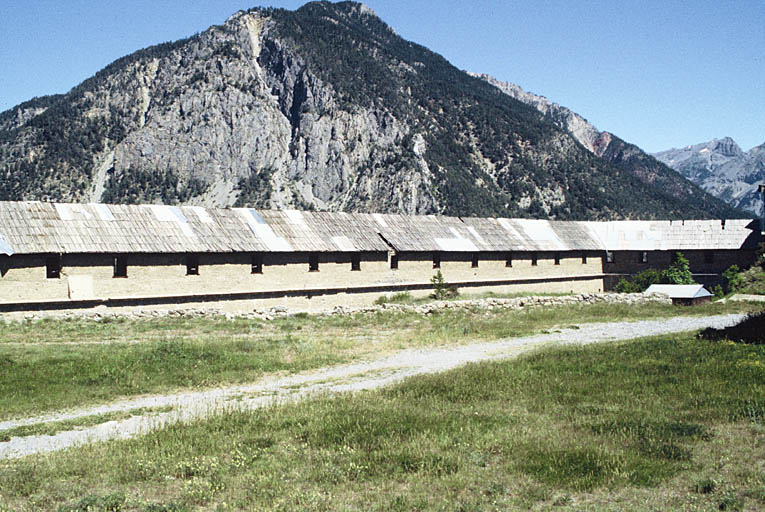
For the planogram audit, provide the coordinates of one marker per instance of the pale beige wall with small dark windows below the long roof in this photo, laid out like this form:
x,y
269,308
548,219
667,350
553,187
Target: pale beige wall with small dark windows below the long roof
x,y
24,277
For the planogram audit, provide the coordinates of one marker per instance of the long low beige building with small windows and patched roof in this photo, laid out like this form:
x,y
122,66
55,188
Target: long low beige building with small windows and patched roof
x,y
81,255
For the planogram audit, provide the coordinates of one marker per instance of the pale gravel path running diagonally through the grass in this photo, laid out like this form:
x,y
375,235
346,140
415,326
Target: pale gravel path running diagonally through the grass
x,y
369,374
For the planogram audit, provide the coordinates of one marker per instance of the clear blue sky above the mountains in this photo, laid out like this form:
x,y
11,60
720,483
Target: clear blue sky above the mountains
x,y
659,74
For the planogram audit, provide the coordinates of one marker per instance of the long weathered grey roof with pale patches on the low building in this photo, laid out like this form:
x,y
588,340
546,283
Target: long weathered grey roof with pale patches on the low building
x,y
35,227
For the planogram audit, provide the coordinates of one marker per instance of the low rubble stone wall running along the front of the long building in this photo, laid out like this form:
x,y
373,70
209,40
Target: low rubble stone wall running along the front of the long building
x,y
515,303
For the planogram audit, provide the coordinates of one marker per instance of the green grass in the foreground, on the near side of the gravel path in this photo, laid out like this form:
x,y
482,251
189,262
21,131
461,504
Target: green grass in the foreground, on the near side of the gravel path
x,y
641,425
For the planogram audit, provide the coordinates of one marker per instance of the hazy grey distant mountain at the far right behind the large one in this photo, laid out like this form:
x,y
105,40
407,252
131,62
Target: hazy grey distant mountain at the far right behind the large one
x,y
721,168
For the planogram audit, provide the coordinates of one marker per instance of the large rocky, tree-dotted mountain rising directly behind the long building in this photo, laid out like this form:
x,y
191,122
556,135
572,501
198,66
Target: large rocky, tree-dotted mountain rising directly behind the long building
x,y
327,108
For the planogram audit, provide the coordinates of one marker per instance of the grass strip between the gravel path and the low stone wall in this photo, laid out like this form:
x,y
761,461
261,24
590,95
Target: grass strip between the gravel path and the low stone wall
x,y
44,369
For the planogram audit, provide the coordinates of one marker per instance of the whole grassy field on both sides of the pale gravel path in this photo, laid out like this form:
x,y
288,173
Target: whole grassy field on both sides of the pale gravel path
x,y
666,423
